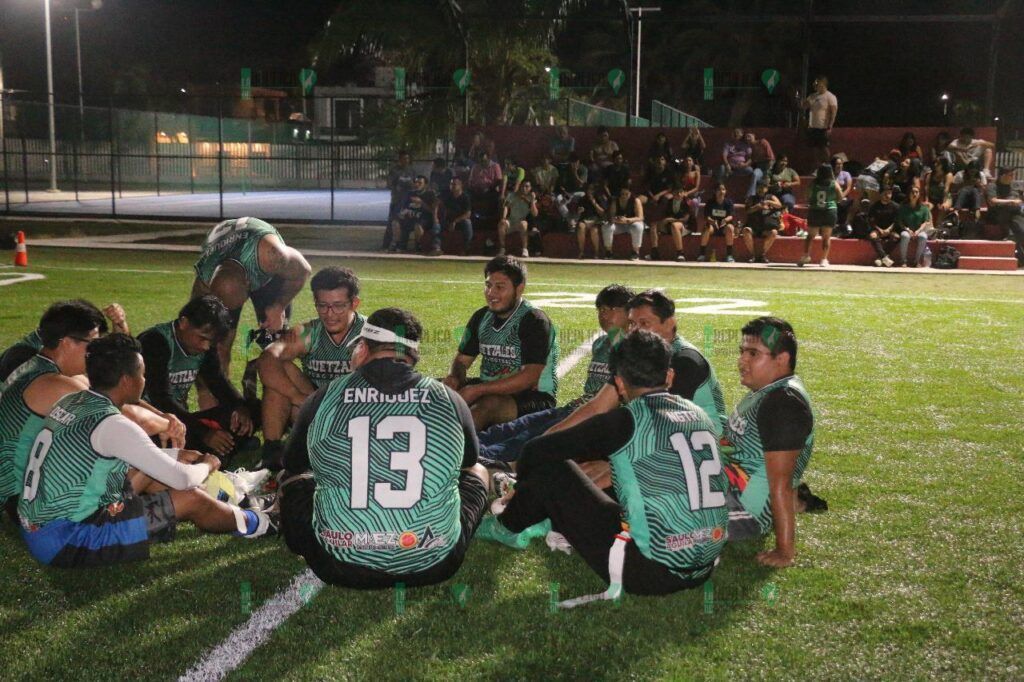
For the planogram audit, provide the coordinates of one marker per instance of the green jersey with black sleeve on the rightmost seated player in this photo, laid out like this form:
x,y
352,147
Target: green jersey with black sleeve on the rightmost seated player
x,y
776,418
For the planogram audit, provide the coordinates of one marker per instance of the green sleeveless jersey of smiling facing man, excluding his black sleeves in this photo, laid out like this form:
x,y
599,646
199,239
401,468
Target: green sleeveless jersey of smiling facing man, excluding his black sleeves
x,y
501,350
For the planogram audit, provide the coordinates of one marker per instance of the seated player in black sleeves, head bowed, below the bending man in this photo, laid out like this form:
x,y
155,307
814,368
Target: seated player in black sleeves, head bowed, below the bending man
x,y
184,351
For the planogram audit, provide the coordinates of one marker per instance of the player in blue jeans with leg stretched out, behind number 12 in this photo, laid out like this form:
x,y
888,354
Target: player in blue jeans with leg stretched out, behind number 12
x,y
504,442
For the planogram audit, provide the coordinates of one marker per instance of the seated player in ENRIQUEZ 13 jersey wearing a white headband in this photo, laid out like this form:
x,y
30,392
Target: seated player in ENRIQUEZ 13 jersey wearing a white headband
x,y
396,492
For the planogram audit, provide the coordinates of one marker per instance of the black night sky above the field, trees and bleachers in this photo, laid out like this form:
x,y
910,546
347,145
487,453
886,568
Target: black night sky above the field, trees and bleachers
x,y
883,74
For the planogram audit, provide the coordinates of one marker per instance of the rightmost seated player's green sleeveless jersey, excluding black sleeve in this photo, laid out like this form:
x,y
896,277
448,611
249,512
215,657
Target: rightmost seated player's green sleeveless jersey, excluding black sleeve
x,y
748,460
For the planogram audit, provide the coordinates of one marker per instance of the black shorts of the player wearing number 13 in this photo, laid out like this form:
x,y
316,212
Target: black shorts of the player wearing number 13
x,y
296,525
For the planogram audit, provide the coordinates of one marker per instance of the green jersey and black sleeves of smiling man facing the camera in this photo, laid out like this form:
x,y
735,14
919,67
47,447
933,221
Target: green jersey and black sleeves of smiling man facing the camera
x,y
525,337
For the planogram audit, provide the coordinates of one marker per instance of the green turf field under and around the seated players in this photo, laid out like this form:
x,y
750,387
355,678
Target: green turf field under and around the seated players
x,y
915,573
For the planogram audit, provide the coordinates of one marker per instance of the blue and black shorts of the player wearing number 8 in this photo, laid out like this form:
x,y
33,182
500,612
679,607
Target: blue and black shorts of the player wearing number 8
x,y
115,534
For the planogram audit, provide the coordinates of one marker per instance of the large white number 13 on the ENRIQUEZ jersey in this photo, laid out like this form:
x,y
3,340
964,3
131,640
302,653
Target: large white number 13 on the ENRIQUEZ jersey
x,y
408,461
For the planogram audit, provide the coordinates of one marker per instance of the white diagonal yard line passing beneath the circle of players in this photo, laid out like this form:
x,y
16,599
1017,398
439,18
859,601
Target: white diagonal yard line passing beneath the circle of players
x,y
245,640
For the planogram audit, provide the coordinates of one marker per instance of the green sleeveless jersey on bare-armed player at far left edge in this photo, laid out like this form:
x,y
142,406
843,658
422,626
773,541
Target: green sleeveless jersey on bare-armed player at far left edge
x,y
19,424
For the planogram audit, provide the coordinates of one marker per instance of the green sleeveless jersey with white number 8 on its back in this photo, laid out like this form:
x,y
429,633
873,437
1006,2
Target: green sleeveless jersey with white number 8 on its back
x,y
66,478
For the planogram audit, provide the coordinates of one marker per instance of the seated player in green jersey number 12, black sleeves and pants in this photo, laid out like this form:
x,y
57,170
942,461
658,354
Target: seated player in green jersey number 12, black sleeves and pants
x,y
667,526
